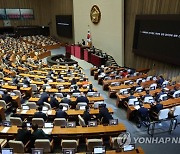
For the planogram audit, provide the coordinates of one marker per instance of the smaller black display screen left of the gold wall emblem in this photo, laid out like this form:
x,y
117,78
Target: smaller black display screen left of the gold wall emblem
x,y
64,25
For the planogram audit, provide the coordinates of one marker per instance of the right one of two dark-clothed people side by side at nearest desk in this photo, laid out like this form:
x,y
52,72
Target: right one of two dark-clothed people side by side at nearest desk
x,y
37,134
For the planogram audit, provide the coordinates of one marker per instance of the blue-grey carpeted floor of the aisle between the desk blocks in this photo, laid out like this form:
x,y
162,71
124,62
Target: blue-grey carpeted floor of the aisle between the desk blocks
x,y
155,148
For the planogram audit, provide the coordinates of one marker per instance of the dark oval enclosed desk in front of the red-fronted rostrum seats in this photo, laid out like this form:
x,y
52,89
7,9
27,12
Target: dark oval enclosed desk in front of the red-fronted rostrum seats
x,y
61,60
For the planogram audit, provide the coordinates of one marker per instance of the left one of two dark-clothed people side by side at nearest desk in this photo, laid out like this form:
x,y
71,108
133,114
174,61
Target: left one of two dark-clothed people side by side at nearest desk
x,y
23,134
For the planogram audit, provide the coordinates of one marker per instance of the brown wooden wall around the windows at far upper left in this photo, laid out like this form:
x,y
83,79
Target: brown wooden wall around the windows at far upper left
x,y
41,9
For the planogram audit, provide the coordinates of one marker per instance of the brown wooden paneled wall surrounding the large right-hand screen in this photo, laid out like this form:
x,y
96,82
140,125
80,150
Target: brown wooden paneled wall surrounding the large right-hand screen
x,y
134,7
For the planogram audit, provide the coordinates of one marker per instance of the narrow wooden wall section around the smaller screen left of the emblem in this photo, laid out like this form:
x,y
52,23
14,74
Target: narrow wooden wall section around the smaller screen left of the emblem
x,y
60,7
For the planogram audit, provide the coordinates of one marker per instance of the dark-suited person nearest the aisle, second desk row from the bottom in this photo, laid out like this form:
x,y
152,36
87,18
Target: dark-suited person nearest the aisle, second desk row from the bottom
x,y
104,114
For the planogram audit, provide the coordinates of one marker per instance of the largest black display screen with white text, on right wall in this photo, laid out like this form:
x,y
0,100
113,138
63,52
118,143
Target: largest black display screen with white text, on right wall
x,y
158,37
